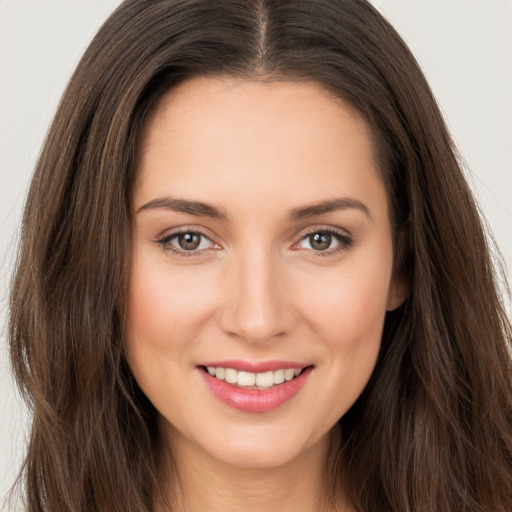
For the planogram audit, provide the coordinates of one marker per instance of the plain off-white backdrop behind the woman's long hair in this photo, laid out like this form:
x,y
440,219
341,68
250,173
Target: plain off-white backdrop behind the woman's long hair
x,y
464,47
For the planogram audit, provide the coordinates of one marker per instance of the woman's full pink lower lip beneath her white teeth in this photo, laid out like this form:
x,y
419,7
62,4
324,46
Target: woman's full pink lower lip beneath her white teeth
x,y
255,400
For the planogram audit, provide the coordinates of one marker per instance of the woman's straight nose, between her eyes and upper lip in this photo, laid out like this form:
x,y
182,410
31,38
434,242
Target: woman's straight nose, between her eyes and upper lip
x,y
257,305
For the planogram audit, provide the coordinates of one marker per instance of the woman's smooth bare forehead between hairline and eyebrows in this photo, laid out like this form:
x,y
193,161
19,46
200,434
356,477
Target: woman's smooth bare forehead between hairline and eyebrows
x,y
223,135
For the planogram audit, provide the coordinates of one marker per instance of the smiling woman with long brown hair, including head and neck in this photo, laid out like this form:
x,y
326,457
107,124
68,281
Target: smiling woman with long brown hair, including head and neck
x,y
252,275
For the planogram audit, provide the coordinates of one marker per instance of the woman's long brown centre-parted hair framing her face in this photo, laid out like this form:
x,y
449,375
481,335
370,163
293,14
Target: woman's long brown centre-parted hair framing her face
x,y
432,431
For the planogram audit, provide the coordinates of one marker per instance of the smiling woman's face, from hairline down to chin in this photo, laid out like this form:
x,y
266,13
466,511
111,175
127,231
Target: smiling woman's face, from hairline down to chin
x,y
262,267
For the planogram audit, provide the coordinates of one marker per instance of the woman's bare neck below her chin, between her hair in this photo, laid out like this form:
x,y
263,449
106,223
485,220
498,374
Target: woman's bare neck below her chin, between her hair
x,y
208,484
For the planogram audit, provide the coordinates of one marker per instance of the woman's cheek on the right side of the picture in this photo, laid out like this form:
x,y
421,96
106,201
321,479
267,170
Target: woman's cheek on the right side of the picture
x,y
346,311
